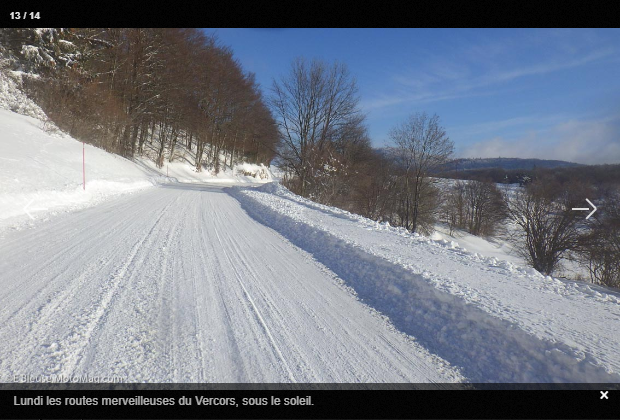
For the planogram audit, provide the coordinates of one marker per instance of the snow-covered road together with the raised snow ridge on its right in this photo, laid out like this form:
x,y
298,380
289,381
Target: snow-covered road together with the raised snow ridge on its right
x,y
197,283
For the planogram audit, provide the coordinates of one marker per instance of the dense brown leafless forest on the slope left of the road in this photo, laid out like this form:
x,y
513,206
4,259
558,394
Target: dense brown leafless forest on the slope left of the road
x,y
117,88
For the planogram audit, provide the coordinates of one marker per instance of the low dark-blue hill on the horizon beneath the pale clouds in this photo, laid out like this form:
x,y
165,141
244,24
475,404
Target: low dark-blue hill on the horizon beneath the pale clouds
x,y
464,164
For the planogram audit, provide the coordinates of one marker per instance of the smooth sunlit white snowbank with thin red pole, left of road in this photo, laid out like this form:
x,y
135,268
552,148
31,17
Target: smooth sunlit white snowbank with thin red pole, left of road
x,y
41,173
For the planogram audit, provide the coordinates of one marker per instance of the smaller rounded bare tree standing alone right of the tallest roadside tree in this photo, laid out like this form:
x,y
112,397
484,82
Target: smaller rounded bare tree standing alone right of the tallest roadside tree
x,y
421,146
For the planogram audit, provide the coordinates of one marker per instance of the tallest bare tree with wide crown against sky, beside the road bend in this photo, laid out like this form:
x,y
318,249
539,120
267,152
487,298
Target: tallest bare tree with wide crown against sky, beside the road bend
x,y
316,106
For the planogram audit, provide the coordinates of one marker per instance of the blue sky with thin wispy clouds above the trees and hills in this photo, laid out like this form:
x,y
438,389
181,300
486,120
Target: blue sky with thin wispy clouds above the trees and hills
x,y
542,93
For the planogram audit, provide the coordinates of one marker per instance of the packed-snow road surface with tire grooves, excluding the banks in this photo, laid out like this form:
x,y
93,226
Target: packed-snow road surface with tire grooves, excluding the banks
x,y
179,284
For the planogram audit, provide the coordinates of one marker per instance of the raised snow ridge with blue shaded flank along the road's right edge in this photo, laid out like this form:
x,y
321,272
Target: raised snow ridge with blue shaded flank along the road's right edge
x,y
495,320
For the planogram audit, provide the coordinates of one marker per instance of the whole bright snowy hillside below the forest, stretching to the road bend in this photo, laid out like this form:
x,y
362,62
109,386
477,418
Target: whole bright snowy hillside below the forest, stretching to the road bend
x,y
41,167
